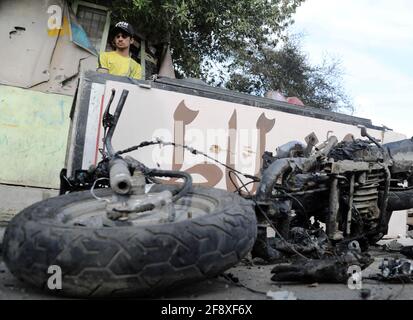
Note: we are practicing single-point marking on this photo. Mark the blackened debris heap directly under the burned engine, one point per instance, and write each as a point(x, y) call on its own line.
point(310, 257)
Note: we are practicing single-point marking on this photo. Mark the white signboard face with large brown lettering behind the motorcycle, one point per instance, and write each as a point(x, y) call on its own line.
point(232, 133)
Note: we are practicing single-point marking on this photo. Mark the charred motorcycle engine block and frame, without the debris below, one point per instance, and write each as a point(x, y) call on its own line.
point(349, 186)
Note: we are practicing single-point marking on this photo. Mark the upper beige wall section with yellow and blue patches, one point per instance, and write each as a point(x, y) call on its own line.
point(40, 58)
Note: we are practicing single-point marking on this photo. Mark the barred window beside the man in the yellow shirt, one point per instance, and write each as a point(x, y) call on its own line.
point(95, 20)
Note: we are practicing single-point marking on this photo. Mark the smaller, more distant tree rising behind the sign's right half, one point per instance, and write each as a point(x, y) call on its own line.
point(288, 70)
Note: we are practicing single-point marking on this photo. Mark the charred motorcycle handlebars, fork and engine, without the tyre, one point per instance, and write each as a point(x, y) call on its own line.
point(352, 186)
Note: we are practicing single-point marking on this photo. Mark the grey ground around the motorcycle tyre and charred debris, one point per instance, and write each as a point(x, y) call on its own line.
point(254, 283)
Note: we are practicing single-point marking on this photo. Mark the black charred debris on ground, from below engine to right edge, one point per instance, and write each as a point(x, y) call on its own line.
point(309, 257)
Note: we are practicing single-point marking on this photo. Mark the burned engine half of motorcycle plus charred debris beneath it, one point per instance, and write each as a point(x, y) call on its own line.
point(329, 204)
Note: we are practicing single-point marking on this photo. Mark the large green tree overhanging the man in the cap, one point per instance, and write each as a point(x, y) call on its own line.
point(204, 32)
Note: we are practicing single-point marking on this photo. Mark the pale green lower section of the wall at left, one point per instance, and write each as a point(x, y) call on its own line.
point(33, 136)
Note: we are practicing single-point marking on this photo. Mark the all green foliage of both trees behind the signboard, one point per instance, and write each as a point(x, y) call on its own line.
point(232, 43)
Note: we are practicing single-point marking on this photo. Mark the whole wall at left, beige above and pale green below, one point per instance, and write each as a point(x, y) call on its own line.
point(46, 61)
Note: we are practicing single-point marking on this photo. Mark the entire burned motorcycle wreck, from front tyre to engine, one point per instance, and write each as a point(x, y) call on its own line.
point(119, 230)
